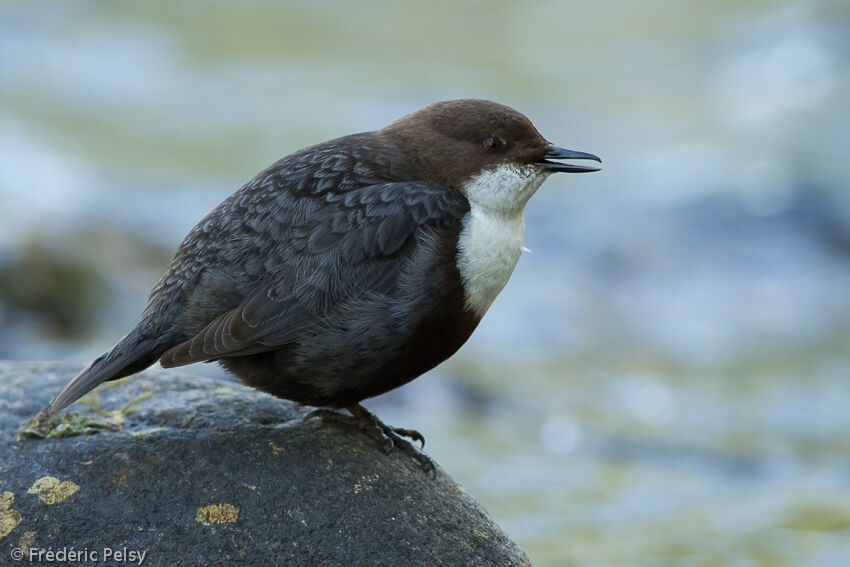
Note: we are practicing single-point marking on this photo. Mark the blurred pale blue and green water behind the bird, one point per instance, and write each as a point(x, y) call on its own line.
point(664, 381)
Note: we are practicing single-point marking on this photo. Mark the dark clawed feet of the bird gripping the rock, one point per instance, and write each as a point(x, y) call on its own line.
point(387, 435)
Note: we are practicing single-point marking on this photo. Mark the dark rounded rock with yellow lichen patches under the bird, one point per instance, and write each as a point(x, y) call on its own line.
point(195, 471)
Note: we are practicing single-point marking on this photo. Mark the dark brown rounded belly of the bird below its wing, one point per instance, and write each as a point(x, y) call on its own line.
point(361, 354)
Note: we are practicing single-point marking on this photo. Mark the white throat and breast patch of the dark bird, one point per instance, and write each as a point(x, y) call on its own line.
point(493, 231)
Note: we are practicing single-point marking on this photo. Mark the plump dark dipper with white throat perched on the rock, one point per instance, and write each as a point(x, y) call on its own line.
point(351, 267)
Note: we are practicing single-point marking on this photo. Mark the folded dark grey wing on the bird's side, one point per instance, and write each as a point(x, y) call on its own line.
point(354, 245)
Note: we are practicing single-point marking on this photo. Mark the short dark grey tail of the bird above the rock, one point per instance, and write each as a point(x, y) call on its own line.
point(133, 353)
